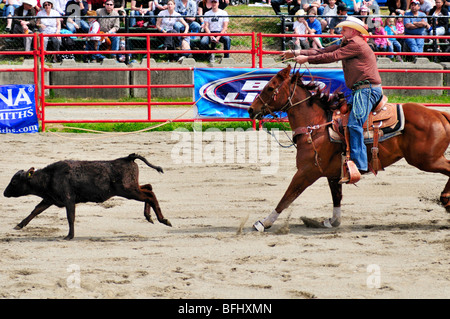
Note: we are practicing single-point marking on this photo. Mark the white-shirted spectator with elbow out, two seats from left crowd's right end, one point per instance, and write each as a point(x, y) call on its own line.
point(165, 22)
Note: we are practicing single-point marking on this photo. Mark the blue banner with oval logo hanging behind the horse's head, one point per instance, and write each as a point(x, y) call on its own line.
point(228, 93)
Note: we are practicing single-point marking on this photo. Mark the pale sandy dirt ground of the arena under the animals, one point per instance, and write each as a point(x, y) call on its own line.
point(394, 241)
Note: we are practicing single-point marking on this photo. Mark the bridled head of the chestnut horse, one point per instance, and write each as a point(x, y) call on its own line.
point(273, 97)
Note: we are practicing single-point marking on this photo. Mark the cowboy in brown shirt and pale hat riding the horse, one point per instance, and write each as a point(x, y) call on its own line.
point(361, 76)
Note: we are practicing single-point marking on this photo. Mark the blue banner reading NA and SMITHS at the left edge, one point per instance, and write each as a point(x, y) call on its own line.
point(18, 109)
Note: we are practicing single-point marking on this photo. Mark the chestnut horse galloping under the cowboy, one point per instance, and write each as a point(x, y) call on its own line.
point(423, 142)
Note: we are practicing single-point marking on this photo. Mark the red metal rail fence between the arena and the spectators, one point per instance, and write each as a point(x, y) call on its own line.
point(40, 69)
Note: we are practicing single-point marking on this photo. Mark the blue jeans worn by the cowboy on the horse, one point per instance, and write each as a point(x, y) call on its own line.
point(363, 102)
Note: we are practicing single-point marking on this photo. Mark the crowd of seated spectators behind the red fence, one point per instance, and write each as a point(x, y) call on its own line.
point(99, 18)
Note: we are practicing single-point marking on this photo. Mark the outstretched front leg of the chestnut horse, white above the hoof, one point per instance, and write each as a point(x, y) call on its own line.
point(299, 183)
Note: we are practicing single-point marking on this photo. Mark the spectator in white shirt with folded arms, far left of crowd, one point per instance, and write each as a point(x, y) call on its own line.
point(49, 25)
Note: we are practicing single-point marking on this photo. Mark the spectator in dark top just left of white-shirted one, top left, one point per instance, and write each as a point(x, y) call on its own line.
point(25, 25)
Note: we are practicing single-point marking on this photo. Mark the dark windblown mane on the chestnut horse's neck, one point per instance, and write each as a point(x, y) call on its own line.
point(320, 96)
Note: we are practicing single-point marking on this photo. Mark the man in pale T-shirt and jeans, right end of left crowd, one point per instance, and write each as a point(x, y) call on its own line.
point(216, 21)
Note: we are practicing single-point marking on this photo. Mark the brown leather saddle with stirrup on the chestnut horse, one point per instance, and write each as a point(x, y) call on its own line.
point(386, 120)
